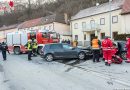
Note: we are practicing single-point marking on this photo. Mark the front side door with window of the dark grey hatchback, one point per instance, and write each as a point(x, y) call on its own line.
point(69, 52)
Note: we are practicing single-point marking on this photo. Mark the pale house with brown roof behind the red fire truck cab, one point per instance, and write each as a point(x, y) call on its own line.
point(58, 24)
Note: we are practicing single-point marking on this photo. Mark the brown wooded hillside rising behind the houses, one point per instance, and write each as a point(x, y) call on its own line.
point(39, 9)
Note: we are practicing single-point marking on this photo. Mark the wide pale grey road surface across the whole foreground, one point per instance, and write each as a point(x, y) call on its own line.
point(20, 74)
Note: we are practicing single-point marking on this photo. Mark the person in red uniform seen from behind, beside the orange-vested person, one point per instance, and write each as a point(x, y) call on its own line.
point(107, 50)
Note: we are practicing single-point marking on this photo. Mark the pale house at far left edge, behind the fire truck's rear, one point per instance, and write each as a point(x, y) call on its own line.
point(7, 29)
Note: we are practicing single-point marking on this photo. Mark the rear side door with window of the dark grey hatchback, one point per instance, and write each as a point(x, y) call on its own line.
point(57, 50)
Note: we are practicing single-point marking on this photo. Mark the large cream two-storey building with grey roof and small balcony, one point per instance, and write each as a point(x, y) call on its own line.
point(98, 21)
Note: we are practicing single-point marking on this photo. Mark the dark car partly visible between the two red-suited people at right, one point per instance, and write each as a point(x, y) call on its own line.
point(121, 49)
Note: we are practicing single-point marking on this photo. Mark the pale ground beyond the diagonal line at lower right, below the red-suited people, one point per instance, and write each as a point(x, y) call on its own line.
point(116, 71)
